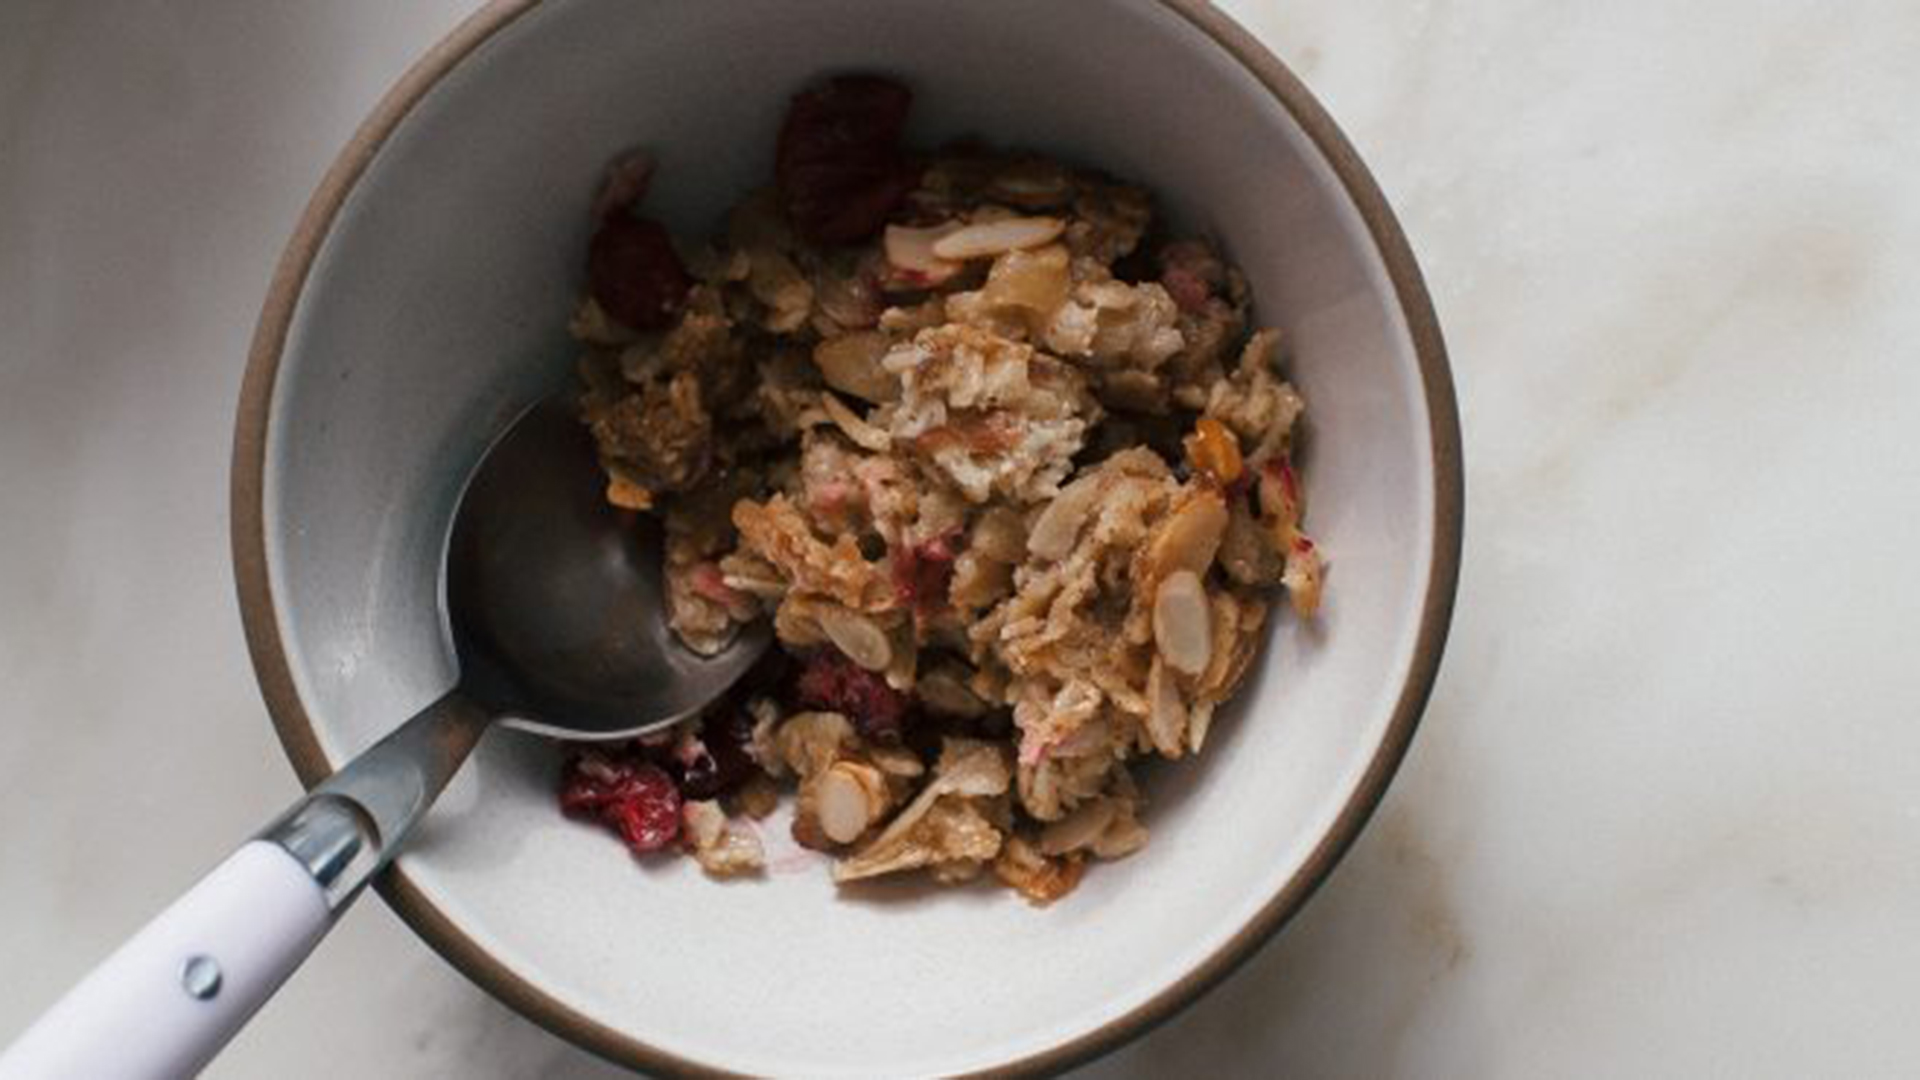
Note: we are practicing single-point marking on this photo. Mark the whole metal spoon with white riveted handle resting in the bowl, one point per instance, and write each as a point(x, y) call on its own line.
point(556, 612)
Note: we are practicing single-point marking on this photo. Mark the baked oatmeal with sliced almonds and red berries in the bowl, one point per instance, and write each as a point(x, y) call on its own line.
point(1009, 472)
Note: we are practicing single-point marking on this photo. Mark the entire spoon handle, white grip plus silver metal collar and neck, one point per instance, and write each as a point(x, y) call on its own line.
point(166, 1002)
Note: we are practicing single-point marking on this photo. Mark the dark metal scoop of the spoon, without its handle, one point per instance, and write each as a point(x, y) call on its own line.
point(556, 599)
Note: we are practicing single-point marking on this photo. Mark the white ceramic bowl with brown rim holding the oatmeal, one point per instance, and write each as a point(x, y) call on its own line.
point(423, 301)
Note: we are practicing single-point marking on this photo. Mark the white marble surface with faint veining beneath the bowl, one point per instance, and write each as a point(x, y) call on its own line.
point(1666, 810)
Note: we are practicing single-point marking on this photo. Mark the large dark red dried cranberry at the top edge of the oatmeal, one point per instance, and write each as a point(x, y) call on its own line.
point(840, 164)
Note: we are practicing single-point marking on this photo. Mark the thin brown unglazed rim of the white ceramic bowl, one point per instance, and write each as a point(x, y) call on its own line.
point(295, 727)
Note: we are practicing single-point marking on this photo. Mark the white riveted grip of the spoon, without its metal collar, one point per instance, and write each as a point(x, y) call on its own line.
point(168, 1000)
